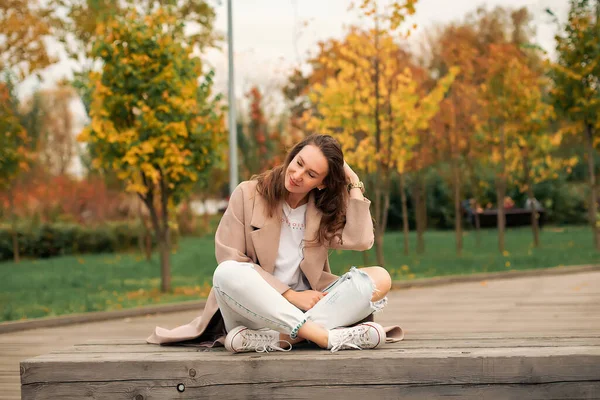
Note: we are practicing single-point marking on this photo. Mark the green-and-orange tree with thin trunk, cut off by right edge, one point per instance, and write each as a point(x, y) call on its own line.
point(576, 87)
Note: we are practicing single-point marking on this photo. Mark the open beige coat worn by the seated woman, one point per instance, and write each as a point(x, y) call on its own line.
point(247, 234)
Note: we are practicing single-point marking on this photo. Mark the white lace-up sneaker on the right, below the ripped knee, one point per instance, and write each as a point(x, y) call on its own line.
point(368, 335)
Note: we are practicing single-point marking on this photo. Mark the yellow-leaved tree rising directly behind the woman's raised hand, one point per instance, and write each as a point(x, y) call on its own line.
point(374, 109)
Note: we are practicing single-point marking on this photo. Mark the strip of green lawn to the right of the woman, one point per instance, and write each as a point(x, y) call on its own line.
point(559, 247)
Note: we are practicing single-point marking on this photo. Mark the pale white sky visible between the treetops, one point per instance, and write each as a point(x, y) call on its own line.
point(271, 37)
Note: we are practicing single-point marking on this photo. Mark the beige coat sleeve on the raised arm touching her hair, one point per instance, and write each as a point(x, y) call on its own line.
point(357, 233)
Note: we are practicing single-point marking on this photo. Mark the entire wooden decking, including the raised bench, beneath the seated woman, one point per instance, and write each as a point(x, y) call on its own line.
point(525, 338)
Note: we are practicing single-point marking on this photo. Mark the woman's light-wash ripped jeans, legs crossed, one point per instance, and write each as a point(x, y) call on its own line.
point(246, 299)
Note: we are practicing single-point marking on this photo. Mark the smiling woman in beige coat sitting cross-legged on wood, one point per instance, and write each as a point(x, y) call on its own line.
point(273, 286)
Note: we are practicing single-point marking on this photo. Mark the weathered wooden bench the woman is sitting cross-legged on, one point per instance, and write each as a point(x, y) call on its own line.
point(478, 366)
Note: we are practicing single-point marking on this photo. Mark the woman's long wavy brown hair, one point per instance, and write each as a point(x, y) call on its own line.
point(331, 201)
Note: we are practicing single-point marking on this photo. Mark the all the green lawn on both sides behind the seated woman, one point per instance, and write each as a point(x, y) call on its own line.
point(74, 284)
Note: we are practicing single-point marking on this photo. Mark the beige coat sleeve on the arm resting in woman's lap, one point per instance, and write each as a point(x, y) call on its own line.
point(230, 238)
